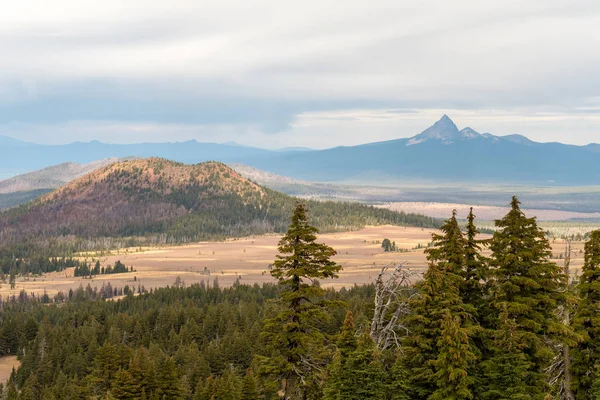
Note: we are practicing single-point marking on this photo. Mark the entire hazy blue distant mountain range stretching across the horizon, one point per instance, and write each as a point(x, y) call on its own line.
point(441, 153)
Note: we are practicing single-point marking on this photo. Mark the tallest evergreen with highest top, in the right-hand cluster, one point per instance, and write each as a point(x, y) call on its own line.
point(531, 289)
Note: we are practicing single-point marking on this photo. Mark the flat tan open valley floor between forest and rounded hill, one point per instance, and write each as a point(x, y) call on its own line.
point(248, 260)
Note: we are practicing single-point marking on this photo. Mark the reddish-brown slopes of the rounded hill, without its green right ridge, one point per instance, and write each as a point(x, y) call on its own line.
point(133, 198)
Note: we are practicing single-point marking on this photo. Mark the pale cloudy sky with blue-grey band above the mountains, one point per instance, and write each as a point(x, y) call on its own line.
point(314, 73)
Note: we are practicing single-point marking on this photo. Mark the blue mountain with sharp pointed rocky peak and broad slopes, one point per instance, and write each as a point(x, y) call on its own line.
point(443, 153)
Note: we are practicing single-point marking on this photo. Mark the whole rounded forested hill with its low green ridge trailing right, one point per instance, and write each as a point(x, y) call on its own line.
point(168, 202)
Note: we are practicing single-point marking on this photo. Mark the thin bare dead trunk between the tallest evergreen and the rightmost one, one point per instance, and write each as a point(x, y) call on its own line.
point(560, 370)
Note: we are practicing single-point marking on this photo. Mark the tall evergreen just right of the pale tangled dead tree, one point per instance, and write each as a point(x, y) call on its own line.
point(439, 351)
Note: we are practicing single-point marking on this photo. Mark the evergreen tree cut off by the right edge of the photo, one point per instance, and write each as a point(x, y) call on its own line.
point(586, 356)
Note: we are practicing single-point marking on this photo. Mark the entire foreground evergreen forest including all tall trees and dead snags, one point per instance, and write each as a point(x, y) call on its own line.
point(510, 325)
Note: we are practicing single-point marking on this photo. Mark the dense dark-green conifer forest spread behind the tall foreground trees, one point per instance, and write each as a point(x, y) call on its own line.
point(190, 342)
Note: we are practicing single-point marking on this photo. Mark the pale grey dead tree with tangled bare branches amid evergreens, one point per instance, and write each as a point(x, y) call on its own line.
point(393, 291)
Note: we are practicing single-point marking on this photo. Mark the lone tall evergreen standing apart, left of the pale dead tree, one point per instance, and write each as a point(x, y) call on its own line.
point(294, 335)
